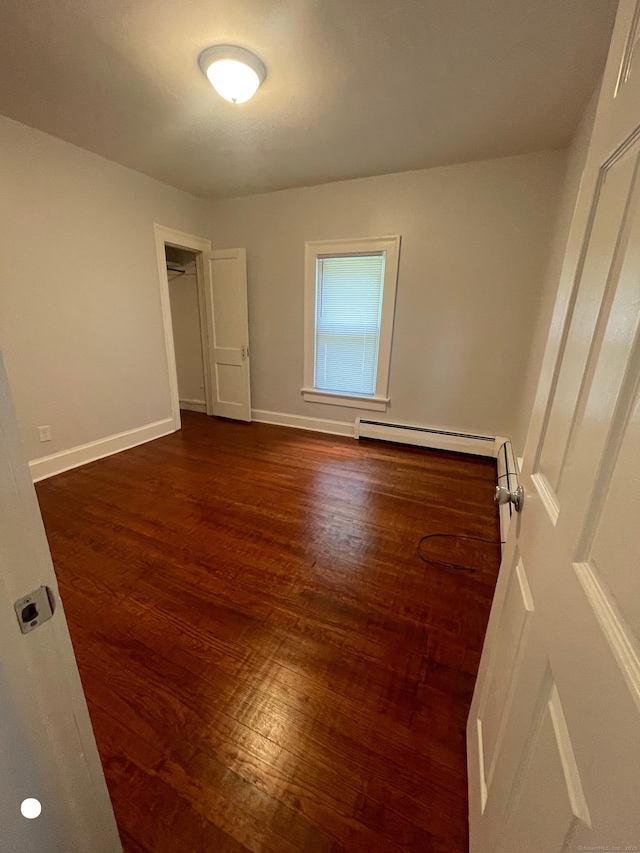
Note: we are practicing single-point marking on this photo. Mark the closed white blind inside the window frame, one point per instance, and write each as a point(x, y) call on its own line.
point(349, 292)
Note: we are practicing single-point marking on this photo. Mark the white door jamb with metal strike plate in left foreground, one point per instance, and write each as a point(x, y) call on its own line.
point(47, 749)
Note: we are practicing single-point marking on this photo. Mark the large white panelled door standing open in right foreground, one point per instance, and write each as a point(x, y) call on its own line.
point(554, 728)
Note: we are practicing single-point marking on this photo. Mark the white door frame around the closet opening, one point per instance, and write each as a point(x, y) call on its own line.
point(200, 246)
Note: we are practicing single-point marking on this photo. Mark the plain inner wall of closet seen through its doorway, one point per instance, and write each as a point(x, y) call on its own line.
point(187, 338)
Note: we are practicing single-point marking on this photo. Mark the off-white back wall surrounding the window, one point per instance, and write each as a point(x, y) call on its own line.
point(475, 240)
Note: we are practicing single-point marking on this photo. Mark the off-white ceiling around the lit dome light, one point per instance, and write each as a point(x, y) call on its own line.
point(354, 87)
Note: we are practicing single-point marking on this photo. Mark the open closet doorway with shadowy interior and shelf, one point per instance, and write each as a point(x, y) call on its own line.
point(188, 328)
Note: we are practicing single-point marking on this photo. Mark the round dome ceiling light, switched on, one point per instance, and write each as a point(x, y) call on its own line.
point(235, 73)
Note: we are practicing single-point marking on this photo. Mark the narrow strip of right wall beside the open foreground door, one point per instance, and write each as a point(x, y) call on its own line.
point(575, 160)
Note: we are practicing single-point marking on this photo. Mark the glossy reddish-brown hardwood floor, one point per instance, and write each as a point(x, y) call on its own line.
point(269, 666)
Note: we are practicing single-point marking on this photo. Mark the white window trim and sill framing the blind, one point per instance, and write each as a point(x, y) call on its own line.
point(378, 401)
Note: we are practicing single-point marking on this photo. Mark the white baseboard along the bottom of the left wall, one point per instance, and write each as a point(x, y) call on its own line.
point(49, 466)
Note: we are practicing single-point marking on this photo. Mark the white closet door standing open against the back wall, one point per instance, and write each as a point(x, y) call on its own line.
point(229, 333)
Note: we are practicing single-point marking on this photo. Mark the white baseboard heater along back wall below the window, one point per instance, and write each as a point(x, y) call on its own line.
point(438, 439)
